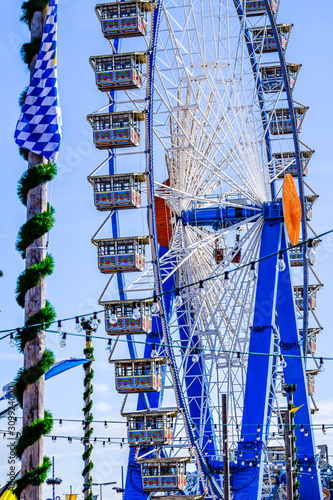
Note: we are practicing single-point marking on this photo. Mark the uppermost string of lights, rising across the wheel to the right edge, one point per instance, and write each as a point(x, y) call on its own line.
point(309, 242)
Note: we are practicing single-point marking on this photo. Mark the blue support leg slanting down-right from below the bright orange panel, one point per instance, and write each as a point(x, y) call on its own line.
point(291, 345)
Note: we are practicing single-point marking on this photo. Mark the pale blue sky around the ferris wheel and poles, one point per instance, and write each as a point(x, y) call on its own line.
point(76, 284)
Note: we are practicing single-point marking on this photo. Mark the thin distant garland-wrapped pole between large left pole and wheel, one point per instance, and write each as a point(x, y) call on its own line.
point(89, 325)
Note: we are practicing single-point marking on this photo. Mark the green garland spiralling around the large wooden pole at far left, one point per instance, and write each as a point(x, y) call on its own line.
point(36, 227)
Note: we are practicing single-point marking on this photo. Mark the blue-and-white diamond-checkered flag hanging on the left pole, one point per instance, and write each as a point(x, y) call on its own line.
point(39, 126)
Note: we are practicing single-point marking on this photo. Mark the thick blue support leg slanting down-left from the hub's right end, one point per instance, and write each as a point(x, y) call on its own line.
point(247, 484)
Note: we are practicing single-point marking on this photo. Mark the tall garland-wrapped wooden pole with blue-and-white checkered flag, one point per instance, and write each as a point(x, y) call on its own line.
point(38, 133)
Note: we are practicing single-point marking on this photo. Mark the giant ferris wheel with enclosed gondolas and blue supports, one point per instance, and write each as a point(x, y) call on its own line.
point(201, 106)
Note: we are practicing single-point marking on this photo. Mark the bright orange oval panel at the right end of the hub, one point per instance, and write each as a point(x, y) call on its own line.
point(292, 209)
